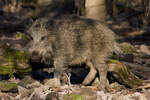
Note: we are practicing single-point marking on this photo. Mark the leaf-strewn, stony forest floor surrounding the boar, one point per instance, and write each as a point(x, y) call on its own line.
point(29, 86)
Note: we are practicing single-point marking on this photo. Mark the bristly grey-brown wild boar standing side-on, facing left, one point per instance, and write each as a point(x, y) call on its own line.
point(68, 40)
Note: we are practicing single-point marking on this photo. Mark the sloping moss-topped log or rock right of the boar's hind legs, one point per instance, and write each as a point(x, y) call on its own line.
point(123, 75)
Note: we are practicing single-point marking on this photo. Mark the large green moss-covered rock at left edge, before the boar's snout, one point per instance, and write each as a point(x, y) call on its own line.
point(15, 62)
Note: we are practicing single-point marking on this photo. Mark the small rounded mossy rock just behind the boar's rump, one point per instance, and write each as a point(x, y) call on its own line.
point(127, 48)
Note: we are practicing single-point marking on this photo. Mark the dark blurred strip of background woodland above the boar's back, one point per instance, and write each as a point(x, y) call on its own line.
point(135, 12)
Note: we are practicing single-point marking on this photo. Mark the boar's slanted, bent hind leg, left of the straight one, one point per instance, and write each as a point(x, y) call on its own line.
point(91, 75)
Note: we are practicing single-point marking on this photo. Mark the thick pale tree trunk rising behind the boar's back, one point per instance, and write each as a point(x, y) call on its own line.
point(95, 9)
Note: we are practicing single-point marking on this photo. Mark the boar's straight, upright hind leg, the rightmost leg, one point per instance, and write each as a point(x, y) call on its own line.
point(101, 67)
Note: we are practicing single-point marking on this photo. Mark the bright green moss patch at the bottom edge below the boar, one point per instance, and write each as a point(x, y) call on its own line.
point(73, 97)
